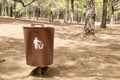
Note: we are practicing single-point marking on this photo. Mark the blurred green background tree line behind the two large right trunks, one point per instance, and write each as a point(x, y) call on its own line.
point(61, 9)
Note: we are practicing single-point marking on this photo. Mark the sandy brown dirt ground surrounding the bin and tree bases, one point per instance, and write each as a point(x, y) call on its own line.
point(75, 57)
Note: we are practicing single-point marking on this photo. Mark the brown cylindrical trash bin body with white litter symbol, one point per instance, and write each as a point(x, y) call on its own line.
point(42, 54)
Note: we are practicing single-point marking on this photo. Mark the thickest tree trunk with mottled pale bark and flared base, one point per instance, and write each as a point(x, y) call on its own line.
point(89, 17)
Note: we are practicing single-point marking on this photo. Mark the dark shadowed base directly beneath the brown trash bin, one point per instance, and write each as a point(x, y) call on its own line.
point(39, 71)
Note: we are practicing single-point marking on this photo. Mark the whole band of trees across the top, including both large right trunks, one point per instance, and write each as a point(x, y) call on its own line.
point(88, 11)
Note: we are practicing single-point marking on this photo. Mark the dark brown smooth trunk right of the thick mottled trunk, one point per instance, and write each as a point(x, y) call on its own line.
point(104, 14)
